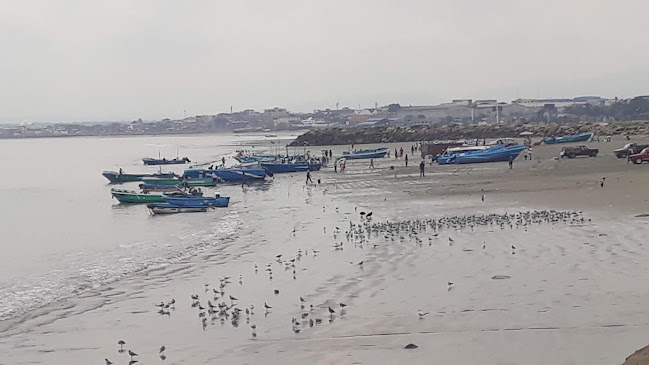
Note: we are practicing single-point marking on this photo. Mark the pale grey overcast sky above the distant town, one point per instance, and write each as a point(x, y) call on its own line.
point(80, 60)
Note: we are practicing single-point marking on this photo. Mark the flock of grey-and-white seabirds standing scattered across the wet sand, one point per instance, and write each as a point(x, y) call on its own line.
point(217, 305)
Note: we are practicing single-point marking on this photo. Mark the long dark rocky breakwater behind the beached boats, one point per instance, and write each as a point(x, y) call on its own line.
point(341, 136)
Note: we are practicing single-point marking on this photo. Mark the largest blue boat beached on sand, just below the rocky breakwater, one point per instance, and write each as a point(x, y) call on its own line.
point(480, 155)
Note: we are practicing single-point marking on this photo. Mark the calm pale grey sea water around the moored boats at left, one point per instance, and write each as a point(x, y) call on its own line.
point(63, 233)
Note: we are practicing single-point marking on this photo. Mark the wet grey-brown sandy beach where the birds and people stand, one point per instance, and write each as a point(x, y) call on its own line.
point(570, 292)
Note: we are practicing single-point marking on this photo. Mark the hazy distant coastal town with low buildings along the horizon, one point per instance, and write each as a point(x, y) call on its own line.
point(459, 112)
